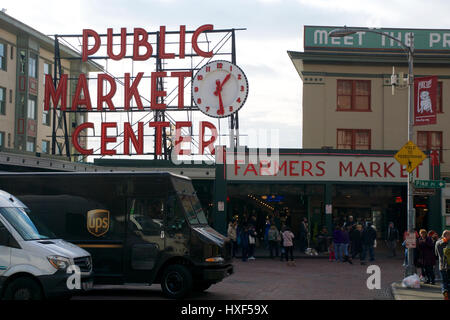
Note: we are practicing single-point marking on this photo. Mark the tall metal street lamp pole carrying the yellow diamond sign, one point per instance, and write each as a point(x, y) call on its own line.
point(410, 269)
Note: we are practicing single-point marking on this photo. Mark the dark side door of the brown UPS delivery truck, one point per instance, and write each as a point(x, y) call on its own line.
point(145, 238)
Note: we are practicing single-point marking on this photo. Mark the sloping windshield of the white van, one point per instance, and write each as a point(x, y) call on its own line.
point(27, 226)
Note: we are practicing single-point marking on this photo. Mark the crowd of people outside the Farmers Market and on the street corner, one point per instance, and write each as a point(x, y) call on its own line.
point(349, 240)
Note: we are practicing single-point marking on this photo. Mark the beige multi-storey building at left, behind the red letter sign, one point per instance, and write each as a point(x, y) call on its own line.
point(26, 56)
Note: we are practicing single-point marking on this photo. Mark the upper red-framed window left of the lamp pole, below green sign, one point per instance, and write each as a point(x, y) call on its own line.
point(353, 95)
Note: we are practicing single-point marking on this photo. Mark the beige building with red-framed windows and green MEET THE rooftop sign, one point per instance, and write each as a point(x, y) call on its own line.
point(348, 102)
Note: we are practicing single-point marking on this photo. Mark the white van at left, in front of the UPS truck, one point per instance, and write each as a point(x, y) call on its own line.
point(37, 268)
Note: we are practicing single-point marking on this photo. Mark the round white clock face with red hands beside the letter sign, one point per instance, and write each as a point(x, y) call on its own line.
point(219, 89)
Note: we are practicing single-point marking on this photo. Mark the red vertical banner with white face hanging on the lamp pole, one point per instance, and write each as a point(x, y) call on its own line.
point(425, 102)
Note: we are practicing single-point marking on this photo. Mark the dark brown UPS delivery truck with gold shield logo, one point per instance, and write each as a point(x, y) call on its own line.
point(143, 227)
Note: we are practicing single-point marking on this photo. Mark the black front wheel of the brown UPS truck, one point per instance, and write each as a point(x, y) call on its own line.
point(176, 281)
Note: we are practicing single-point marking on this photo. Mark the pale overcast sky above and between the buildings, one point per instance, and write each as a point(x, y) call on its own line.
point(273, 28)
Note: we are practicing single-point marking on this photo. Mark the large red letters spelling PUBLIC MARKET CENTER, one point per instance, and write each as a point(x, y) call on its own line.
point(142, 50)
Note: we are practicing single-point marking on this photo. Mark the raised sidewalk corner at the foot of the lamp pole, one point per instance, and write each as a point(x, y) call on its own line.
point(425, 292)
